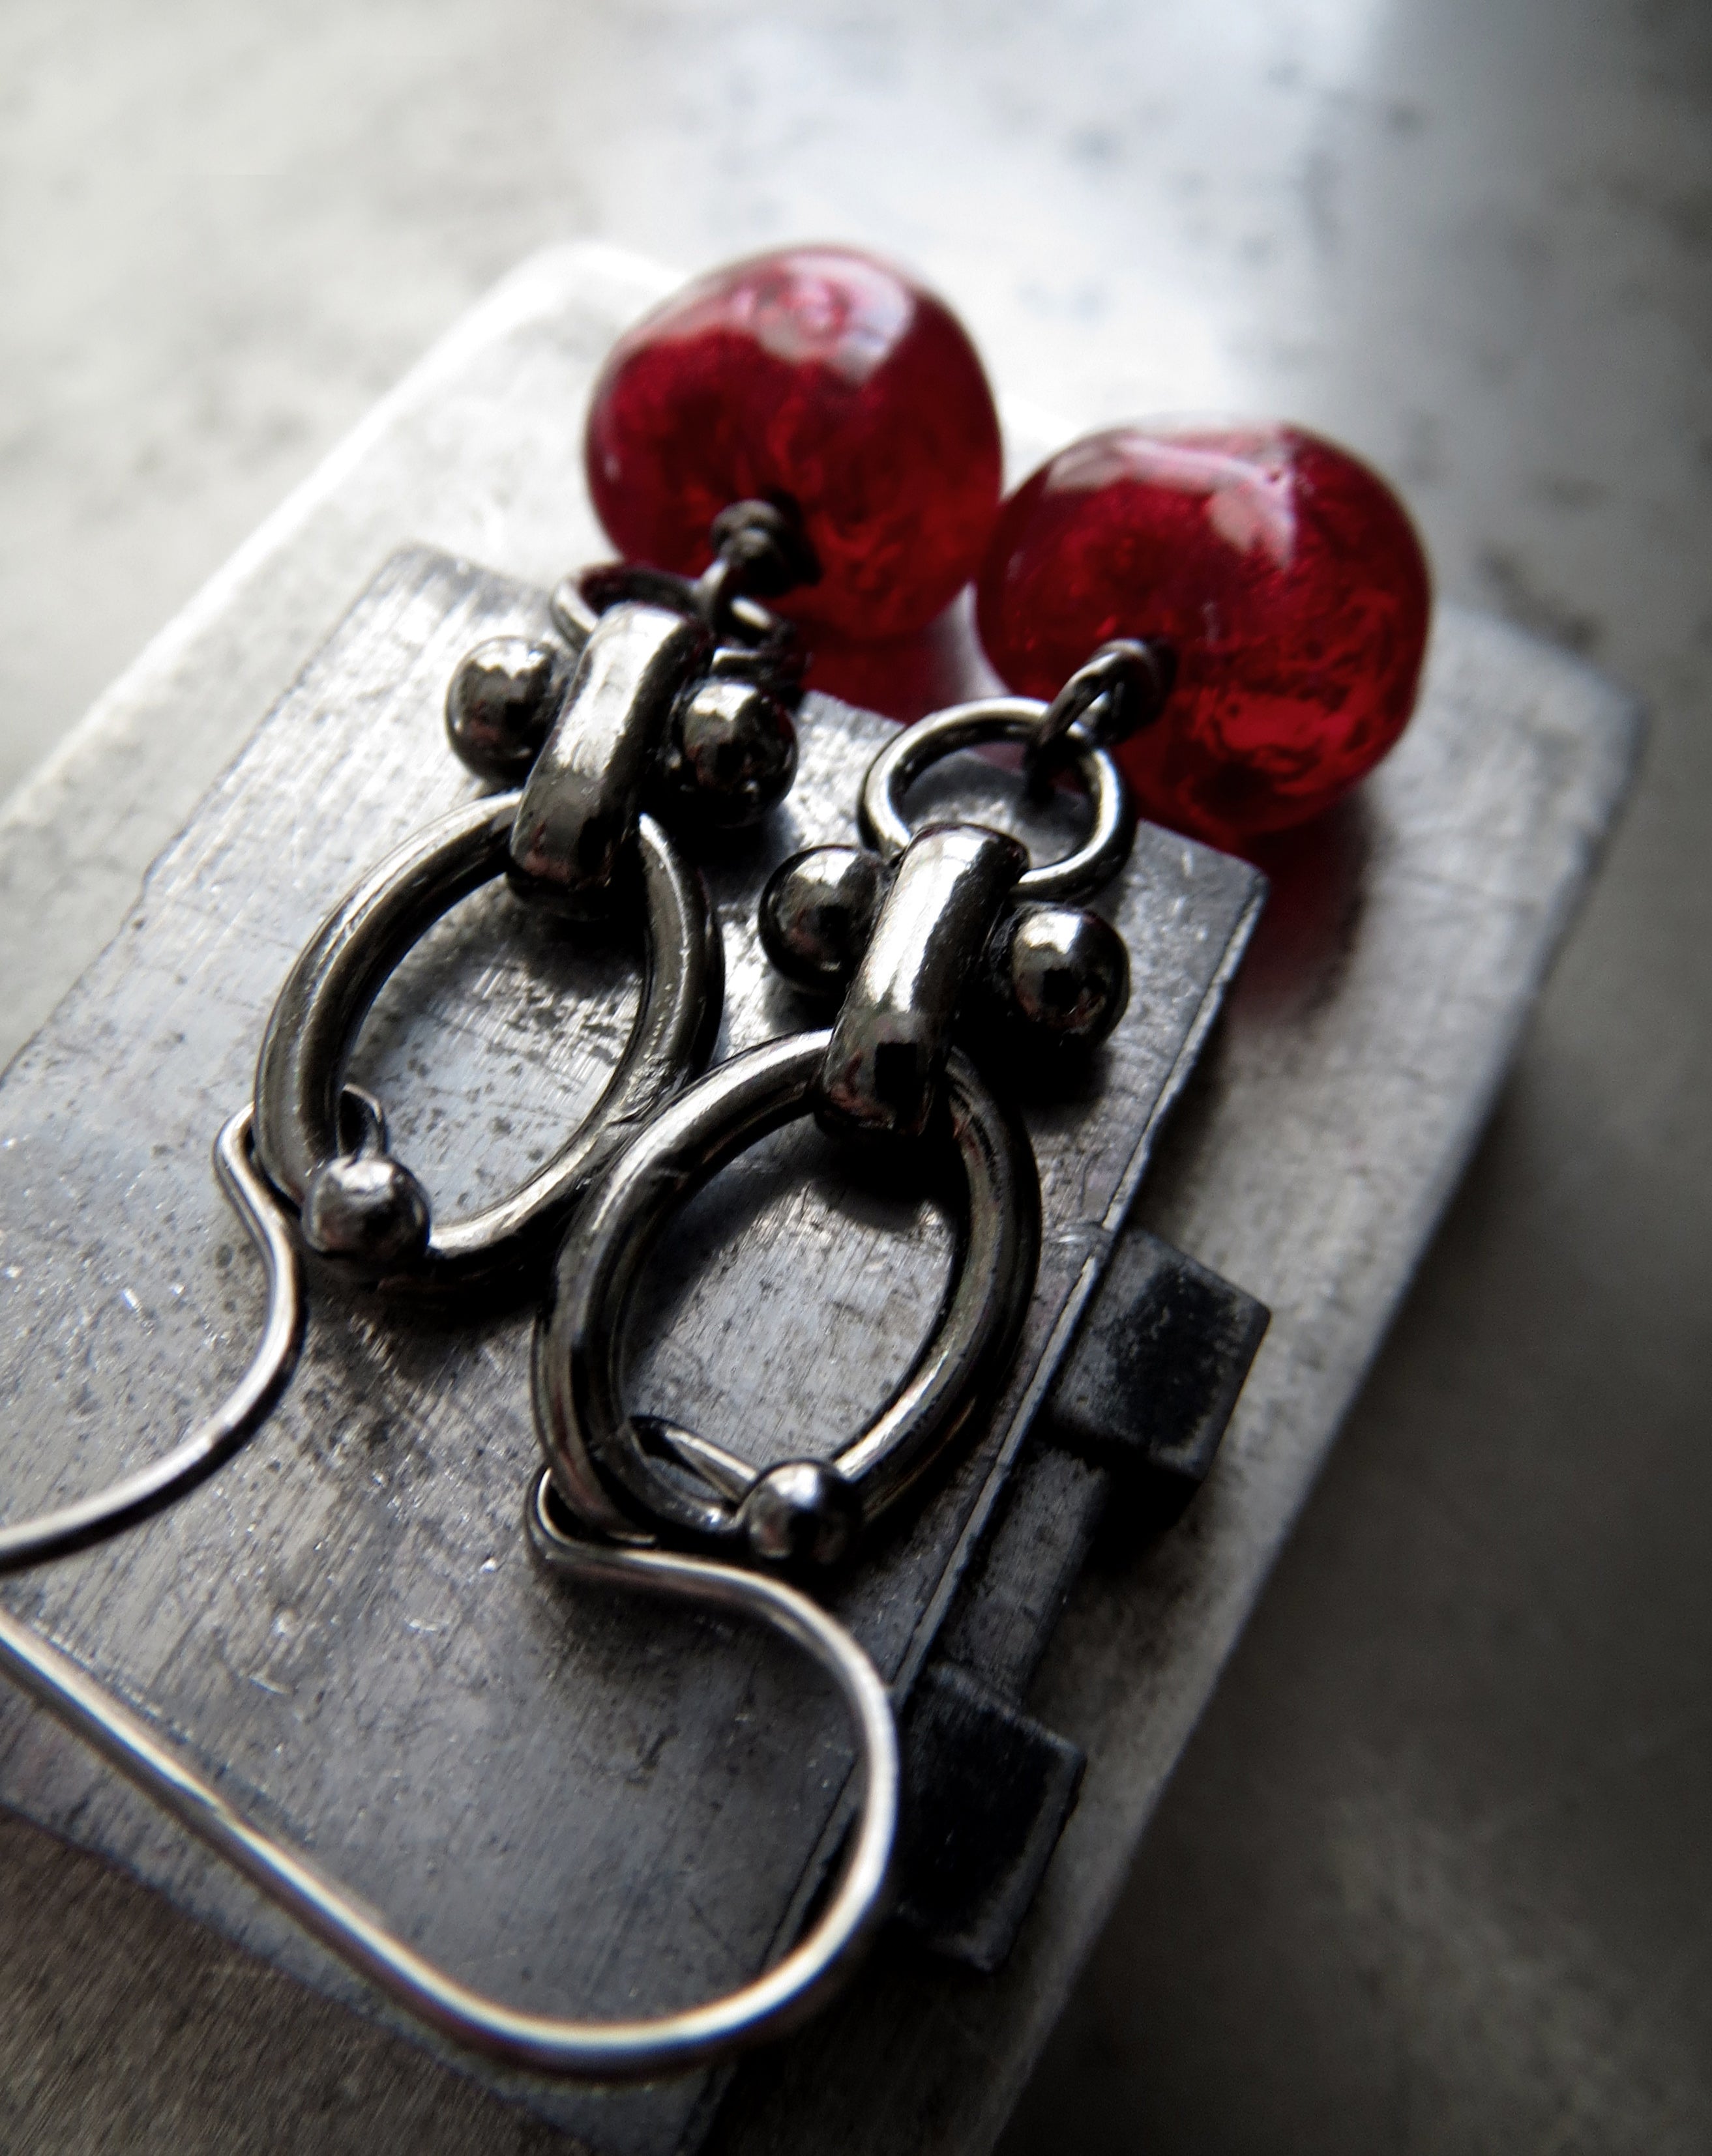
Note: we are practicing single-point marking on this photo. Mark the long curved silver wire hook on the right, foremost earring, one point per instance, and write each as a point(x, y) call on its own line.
point(542, 2043)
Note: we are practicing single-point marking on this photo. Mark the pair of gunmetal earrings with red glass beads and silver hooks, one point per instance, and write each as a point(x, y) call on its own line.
point(831, 432)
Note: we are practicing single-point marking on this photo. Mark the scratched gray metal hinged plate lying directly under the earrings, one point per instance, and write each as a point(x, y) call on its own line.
point(577, 1803)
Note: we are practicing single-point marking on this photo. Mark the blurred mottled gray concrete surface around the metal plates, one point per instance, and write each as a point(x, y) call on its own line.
point(1435, 1872)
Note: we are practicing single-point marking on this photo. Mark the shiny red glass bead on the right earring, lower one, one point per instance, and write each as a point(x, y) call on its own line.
point(1282, 570)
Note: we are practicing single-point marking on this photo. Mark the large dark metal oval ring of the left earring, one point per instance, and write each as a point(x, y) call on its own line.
point(340, 973)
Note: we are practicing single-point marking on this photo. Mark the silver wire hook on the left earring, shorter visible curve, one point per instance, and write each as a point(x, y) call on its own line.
point(94, 1519)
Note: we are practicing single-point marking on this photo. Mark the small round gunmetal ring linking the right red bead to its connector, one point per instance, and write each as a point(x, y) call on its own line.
point(978, 725)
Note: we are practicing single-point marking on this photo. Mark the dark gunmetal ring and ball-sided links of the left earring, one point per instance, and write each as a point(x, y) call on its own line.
point(669, 702)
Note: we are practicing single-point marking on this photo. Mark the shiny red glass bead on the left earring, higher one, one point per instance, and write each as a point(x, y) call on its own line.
point(818, 376)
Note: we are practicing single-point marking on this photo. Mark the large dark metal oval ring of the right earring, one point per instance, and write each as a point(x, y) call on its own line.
point(596, 1450)
